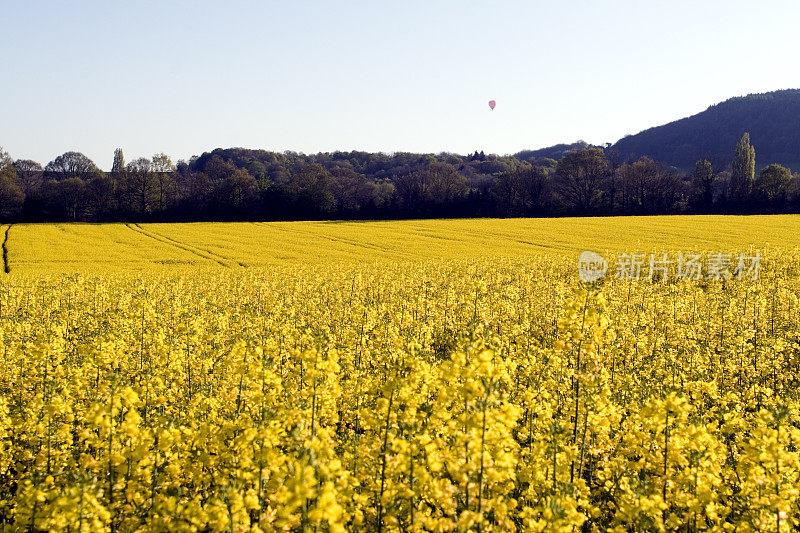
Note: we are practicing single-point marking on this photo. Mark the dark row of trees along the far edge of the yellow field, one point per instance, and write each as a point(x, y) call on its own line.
point(241, 184)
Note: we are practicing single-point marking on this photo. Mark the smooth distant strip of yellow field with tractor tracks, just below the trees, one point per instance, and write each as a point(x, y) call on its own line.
point(48, 248)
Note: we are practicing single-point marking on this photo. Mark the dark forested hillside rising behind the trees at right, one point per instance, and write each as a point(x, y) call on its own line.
point(772, 119)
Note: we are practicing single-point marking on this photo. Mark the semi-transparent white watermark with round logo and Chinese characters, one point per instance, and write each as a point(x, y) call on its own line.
point(716, 266)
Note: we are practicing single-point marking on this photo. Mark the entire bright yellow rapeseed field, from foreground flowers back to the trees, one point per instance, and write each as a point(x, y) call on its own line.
point(397, 376)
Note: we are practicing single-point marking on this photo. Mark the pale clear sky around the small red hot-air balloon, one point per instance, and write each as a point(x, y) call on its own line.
point(187, 77)
